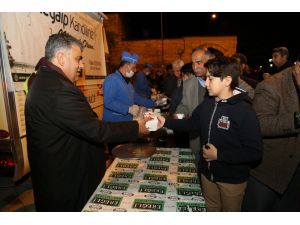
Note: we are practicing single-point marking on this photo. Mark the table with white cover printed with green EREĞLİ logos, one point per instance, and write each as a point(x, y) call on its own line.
point(166, 181)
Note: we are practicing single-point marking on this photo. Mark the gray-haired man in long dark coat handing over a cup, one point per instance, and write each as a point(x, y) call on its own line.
point(64, 136)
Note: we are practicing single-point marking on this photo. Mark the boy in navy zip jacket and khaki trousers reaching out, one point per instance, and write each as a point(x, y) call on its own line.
point(230, 136)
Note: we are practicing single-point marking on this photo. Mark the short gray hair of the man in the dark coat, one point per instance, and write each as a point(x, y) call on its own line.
point(58, 42)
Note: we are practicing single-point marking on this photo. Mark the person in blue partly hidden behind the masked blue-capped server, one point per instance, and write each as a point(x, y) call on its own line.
point(141, 84)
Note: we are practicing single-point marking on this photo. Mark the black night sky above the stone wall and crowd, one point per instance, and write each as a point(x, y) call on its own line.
point(258, 33)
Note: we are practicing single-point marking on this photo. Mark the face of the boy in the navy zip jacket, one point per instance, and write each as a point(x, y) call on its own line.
point(215, 86)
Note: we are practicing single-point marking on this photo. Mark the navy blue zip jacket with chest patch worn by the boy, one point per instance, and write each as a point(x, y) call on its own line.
point(232, 127)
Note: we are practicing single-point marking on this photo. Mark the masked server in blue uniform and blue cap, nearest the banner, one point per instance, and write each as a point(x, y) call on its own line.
point(120, 100)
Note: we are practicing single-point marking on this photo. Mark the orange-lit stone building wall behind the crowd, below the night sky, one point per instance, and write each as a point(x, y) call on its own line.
point(150, 51)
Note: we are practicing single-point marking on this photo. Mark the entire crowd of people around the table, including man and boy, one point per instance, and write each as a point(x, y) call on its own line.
point(242, 129)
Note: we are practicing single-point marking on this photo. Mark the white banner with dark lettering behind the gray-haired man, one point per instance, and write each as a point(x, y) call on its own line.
point(27, 34)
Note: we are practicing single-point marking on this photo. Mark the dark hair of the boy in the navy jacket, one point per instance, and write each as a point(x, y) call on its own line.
point(224, 66)
